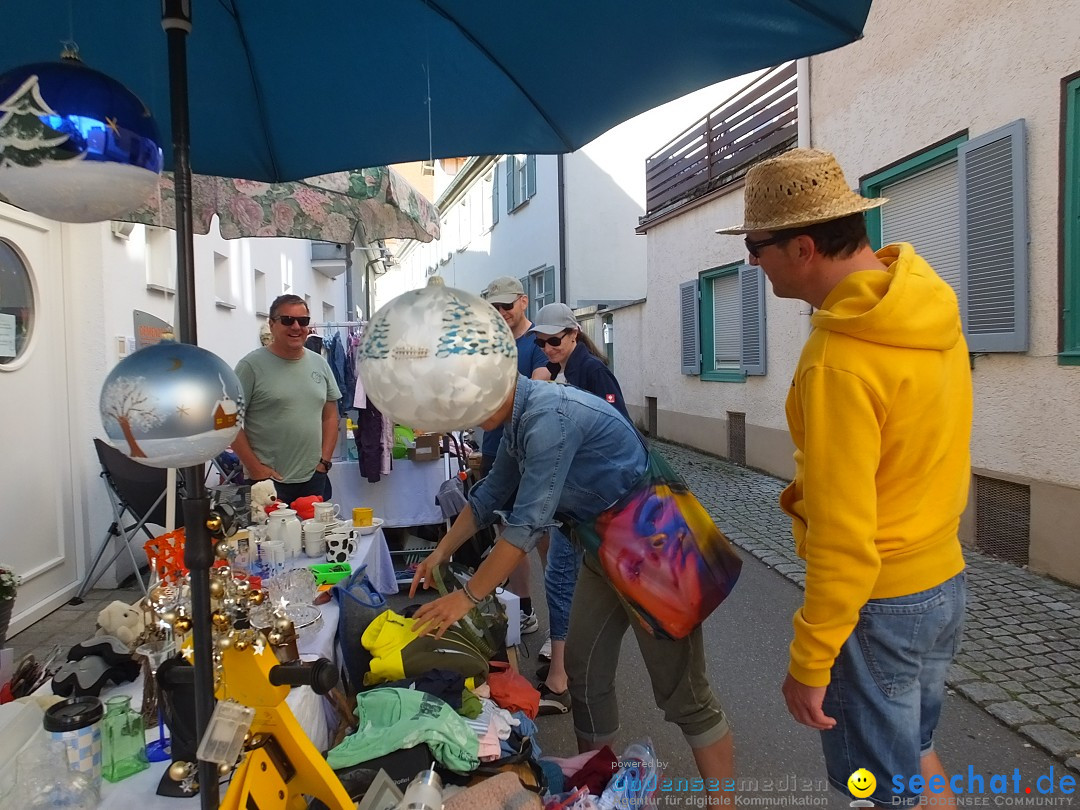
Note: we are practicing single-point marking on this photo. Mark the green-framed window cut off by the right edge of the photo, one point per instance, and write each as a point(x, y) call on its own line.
point(1071, 227)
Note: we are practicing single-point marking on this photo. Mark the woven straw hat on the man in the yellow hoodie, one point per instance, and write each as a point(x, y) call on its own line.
point(798, 188)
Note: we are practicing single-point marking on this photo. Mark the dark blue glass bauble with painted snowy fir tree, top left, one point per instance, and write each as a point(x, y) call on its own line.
point(75, 145)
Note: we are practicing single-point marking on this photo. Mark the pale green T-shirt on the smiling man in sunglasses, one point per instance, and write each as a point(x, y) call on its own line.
point(283, 416)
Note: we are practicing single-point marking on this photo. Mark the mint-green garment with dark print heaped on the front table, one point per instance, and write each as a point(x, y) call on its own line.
point(391, 720)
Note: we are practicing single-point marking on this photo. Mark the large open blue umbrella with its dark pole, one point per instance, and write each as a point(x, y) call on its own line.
point(283, 90)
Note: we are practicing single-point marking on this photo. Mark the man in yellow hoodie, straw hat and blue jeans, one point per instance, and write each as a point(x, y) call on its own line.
point(880, 412)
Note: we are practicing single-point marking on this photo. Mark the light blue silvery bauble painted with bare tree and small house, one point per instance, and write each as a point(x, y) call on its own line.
point(172, 406)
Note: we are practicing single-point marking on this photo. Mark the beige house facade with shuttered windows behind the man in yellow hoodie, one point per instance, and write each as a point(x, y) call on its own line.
point(970, 124)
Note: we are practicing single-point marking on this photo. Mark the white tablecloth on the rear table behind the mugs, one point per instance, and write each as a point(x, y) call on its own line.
point(407, 497)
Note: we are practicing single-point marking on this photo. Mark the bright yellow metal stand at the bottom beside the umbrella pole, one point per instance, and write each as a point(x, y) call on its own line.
point(281, 767)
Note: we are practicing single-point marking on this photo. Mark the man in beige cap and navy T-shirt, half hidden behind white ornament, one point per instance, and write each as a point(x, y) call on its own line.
point(508, 296)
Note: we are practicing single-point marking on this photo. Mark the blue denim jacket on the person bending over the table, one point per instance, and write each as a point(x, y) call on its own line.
point(565, 452)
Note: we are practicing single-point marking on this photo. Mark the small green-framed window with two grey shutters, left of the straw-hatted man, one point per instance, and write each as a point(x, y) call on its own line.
point(723, 325)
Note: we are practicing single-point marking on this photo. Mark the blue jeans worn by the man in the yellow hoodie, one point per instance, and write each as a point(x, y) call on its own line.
point(888, 686)
